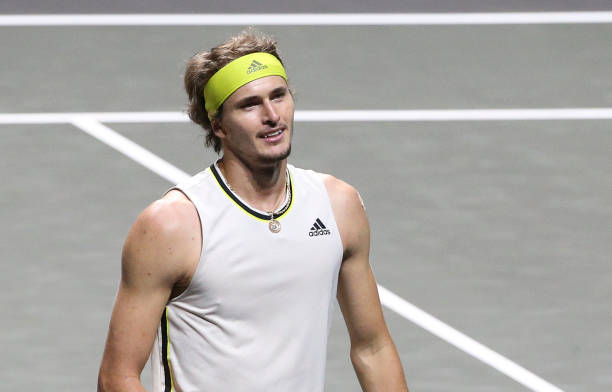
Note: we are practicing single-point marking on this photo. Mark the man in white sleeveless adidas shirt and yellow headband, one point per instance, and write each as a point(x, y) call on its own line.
point(242, 261)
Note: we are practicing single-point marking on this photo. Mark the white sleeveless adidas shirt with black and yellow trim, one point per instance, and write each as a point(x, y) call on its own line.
point(256, 314)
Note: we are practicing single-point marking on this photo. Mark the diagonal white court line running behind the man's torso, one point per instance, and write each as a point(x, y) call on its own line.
point(392, 301)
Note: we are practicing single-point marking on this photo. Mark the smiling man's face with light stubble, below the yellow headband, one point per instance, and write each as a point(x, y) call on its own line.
point(257, 122)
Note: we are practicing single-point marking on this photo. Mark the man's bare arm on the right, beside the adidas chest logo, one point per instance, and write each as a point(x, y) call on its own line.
point(373, 353)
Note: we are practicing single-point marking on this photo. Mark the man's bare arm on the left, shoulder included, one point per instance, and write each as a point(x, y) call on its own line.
point(159, 254)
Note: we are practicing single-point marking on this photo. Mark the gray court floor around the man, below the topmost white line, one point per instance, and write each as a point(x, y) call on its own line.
point(501, 229)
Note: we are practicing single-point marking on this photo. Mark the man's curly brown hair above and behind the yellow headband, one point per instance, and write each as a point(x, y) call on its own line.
point(203, 65)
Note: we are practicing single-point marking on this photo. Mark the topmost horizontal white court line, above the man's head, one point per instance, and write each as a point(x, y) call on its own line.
point(305, 19)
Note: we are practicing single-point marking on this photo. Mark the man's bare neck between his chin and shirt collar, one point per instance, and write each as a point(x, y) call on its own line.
point(261, 187)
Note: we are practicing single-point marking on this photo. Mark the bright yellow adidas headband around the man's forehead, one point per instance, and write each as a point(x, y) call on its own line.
point(236, 74)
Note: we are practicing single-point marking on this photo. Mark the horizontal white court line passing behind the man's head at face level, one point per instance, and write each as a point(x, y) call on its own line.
point(332, 115)
